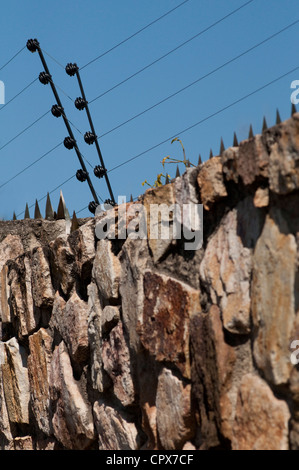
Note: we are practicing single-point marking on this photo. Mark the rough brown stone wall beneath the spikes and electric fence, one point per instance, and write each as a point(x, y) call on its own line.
point(140, 344)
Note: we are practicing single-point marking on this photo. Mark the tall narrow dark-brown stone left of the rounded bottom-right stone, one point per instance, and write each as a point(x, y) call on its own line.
point(212, 376)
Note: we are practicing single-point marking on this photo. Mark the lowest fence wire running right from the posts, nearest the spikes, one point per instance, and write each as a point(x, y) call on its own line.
point(205, 119)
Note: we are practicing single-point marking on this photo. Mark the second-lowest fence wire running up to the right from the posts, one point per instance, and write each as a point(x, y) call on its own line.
point(200, 78)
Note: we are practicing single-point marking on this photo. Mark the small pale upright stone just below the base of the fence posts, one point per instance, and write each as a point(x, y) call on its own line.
point(106, 270)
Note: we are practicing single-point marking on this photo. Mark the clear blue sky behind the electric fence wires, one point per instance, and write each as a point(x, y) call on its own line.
point(77, 31)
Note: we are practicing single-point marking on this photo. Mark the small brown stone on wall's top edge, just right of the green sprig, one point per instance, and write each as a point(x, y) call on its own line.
point(211, 183)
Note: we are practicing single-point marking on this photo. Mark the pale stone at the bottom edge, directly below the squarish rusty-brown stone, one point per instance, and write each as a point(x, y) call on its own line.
point(175, 420)
